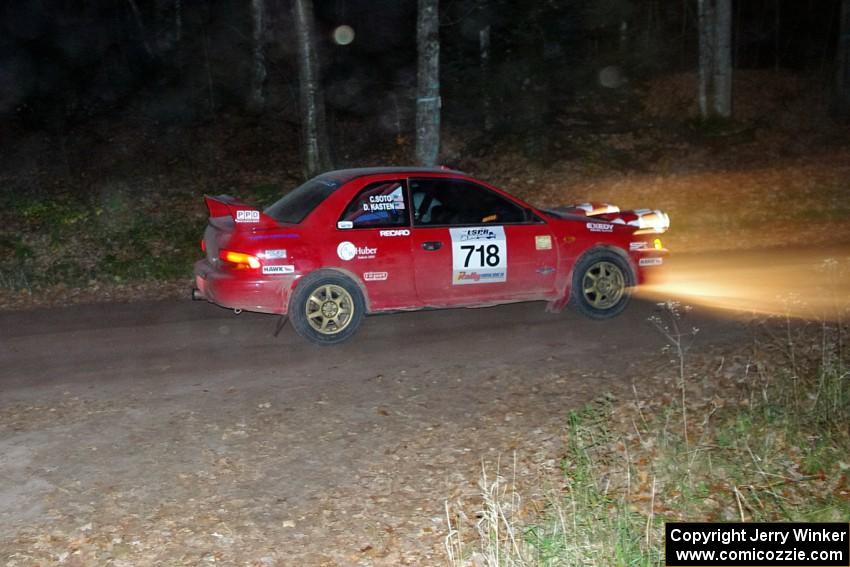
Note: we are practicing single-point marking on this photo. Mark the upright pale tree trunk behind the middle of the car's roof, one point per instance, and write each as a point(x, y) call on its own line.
point(428, 84)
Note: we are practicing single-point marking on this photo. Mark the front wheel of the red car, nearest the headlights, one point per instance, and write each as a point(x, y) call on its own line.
point(601, 286)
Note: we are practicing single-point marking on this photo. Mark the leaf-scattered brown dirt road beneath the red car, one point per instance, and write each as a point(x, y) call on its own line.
point(180, 433)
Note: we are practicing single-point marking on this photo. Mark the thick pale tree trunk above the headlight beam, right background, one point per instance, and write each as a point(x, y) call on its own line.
point(715, 58)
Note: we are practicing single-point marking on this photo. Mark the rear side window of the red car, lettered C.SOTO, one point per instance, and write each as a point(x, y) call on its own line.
point(378, 205)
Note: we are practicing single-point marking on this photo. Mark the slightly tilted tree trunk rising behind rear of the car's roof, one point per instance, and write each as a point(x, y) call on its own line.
point(316, 153)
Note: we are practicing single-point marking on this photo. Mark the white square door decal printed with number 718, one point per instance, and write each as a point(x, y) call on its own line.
point(479, 255)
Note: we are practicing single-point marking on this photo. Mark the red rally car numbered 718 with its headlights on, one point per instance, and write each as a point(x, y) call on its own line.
point(357, 241)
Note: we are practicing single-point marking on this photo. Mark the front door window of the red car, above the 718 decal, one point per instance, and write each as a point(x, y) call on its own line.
point(452, 202)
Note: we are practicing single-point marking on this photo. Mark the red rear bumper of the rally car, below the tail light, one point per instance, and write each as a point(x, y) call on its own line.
point(248, 293)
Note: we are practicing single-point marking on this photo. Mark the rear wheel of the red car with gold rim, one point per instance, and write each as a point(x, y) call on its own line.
point(326, 308)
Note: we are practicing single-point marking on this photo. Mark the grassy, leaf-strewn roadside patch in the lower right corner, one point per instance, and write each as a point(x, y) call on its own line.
point(755, 432)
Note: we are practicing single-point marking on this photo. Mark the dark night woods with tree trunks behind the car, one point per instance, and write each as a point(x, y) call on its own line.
point(491, 65)
